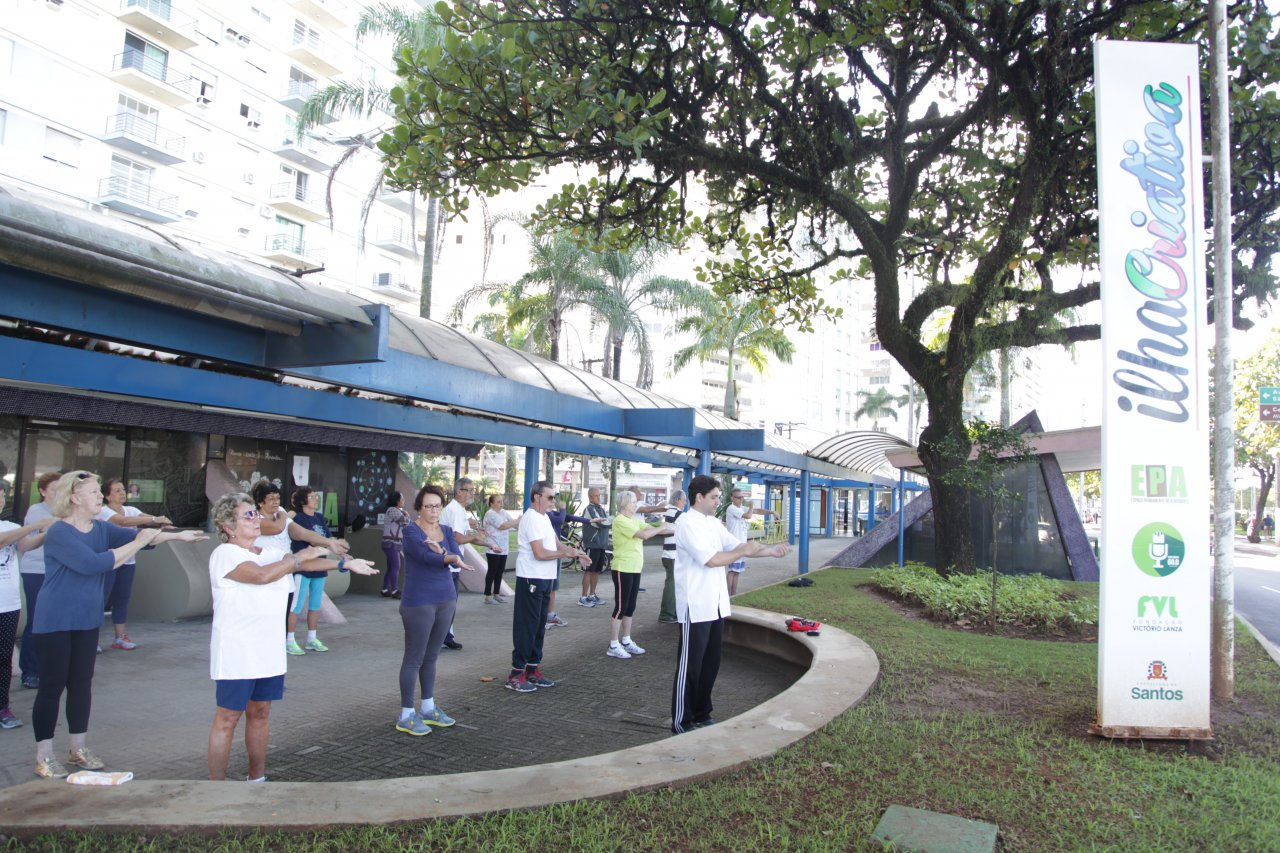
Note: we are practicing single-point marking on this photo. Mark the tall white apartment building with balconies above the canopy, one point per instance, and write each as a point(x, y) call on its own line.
point(181, 116)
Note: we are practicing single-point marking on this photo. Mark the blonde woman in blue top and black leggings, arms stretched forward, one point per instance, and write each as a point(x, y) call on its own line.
point(80, 554)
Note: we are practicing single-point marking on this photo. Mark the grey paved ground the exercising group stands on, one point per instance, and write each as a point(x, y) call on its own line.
point(153, 706)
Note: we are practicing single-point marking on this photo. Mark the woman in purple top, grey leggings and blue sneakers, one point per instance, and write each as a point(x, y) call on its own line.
point(427, 609)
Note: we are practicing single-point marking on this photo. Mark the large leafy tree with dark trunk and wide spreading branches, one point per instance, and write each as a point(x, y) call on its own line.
point(808, 140)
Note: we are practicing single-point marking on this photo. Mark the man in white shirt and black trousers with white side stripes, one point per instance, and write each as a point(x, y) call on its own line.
point(703, 549)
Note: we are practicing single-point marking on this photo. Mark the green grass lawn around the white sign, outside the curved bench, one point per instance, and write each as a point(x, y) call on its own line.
point(962, 723)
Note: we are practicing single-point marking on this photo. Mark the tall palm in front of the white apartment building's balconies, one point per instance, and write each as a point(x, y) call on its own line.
point(412, 30)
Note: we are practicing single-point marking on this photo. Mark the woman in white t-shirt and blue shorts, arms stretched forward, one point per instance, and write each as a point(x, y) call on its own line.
point(246, 656)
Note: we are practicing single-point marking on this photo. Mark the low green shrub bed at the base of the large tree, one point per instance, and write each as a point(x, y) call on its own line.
point(1032, 603)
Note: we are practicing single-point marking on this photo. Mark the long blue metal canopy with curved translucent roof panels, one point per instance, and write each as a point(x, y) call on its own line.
point(198, 327)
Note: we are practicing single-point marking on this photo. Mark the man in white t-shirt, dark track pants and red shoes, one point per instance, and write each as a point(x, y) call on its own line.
point(537, 562)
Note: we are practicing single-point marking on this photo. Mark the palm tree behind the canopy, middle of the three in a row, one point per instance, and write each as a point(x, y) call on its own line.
point(630, 289)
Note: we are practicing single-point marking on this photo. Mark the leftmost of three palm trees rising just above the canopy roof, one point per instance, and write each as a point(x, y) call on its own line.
point(560, 279)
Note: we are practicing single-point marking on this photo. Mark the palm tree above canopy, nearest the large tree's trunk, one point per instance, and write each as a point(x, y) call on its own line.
point(732, 329)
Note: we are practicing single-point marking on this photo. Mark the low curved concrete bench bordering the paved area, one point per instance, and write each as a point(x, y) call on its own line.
point(842, 670)
